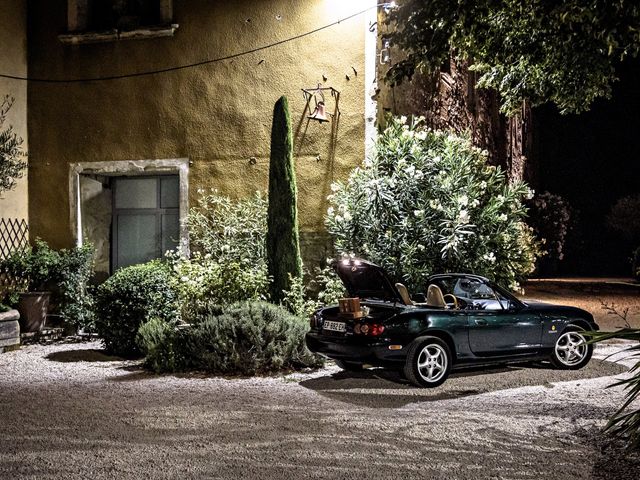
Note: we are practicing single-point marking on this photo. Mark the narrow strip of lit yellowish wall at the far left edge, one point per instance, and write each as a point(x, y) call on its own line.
point(13, 61)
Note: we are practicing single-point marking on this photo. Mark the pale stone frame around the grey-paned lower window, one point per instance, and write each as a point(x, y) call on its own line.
point(121, 168)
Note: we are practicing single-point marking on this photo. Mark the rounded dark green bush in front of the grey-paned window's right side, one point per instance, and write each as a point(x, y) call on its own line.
point(131, 297)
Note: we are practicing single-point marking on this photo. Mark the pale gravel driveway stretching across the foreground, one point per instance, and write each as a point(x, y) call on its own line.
point(69, 411)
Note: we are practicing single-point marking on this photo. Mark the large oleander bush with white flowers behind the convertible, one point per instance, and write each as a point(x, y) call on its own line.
point(428, 202)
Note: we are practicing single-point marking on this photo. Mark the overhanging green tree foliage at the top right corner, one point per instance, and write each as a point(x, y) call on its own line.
point(563, 51)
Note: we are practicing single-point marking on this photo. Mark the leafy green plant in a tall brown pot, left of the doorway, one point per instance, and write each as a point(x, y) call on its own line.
point(34, 267)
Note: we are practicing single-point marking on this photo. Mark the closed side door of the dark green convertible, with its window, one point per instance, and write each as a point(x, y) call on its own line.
point(498, 328)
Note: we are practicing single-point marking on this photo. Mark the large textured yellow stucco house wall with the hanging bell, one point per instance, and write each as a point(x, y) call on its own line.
point(218, 115)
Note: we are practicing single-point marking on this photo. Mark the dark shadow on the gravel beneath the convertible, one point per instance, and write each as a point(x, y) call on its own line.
point(388, 389)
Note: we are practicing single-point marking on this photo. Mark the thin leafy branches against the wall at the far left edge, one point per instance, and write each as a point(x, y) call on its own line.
point(12, 155)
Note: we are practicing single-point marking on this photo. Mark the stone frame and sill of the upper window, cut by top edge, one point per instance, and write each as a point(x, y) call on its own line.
point(77, 25)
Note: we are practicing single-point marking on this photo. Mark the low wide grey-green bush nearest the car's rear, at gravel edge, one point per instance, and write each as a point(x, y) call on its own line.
point(245, 338)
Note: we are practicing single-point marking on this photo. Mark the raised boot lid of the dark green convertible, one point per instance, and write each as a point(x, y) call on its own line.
point(366, 280)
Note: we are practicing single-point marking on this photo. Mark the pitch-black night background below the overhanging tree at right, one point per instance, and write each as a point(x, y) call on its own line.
point(592, 159)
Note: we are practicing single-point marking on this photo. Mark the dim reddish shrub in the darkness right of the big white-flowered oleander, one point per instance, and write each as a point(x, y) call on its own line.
point(550, 216)
